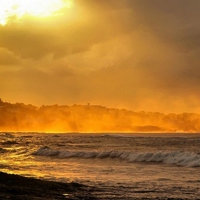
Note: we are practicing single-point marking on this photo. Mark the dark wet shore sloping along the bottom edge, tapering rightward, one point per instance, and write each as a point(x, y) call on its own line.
point(14, 187)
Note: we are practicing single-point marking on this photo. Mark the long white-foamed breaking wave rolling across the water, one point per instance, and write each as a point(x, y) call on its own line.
point(178, 158)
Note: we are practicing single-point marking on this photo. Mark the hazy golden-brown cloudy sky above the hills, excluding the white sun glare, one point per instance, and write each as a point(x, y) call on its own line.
point(134, 54)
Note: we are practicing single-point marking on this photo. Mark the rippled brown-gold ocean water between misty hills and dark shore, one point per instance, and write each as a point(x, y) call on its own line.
point(120, 166)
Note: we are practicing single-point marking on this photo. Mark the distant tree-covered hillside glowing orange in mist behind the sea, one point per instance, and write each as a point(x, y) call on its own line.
point(91, 118)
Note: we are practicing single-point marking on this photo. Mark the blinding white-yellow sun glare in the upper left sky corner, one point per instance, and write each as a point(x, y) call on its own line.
point(16, 9)
